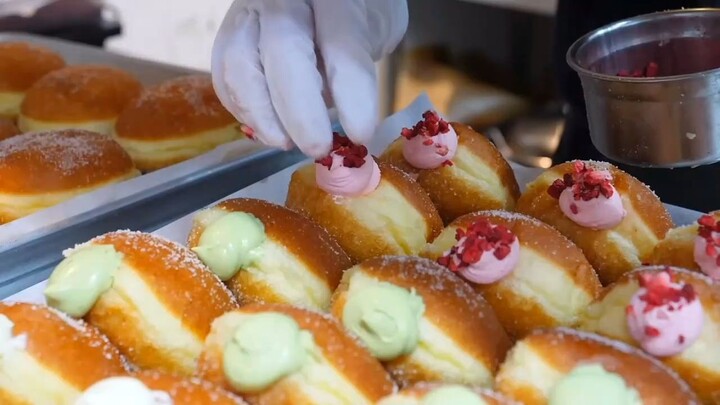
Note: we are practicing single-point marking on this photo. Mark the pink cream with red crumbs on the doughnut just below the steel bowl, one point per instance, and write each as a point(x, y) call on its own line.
point(588, 197)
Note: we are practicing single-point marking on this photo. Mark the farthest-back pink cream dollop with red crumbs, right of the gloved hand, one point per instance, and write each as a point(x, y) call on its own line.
point(431, 143)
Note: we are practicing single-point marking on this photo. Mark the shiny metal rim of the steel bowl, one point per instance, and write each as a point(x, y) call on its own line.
point(575, 47)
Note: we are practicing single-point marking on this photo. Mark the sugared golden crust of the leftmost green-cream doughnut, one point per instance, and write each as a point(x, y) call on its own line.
point(185, 287)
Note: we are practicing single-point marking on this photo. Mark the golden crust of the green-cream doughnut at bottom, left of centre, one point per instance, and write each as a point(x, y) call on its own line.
point(346, 355)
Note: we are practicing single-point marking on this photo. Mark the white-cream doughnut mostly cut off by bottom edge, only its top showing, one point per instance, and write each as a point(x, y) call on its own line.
point(152, 387)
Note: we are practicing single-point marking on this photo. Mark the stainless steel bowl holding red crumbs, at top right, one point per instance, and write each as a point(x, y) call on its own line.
point(670, 120)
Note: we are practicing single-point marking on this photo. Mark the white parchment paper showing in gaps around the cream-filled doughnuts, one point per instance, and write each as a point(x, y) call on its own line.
point(274, 188)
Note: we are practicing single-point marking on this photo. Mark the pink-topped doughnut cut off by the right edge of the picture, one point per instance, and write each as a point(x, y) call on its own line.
point(694, 247)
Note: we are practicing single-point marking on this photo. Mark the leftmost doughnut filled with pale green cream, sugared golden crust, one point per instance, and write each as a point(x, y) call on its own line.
point(153, 298)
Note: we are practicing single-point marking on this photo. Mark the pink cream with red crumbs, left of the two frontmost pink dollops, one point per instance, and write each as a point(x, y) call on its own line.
point(484, 253)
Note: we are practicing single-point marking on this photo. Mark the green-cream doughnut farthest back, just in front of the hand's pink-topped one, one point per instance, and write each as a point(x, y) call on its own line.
point(268, 253)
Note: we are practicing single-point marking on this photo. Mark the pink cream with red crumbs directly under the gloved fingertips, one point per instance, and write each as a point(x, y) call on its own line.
point(348, 170)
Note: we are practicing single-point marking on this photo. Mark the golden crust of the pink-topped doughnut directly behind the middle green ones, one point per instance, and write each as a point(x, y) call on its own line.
point(517, 314)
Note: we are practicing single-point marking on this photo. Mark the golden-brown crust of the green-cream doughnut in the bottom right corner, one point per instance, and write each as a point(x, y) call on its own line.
point(564, 349)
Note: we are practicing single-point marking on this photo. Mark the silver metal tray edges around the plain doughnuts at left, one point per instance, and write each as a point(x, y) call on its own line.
point(145, 203)
